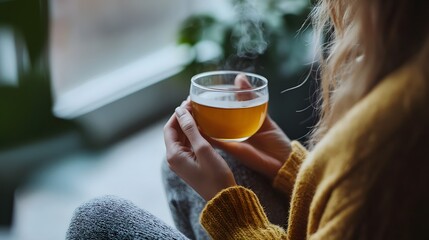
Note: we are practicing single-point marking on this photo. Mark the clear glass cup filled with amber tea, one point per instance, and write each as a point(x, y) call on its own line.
point(229, 105)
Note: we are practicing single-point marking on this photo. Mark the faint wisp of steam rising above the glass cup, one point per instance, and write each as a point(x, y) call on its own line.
point(247, 35)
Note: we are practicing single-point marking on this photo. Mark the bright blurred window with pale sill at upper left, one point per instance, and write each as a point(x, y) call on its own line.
point(103, 50)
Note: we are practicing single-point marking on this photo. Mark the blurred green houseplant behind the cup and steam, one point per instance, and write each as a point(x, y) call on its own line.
point(281, 28)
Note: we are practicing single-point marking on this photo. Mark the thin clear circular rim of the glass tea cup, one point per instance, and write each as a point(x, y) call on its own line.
point(205, 74)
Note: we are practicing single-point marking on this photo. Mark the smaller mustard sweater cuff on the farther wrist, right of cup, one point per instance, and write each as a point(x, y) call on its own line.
point(286, 176)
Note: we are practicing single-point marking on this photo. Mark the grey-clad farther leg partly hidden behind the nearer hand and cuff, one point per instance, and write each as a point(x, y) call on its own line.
point(186, 205)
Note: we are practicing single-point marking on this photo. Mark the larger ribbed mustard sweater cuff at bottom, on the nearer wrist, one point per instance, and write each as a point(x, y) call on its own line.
point(235, 211)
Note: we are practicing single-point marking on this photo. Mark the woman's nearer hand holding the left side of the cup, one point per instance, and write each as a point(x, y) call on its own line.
point(192, 158)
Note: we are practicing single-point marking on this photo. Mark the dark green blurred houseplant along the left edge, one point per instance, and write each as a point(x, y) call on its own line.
point(26, 118)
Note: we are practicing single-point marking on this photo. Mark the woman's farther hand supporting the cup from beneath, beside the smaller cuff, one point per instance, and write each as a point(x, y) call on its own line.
point(264, 152)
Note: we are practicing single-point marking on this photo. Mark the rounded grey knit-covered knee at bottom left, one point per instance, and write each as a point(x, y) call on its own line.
point(114, 218)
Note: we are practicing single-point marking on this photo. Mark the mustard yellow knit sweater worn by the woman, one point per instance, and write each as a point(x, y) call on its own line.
point(327, 185)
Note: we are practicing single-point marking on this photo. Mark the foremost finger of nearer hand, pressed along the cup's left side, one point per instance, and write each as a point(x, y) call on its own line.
point(189, 127)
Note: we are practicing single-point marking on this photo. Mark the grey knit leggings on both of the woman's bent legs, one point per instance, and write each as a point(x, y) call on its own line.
point(114, 218)
